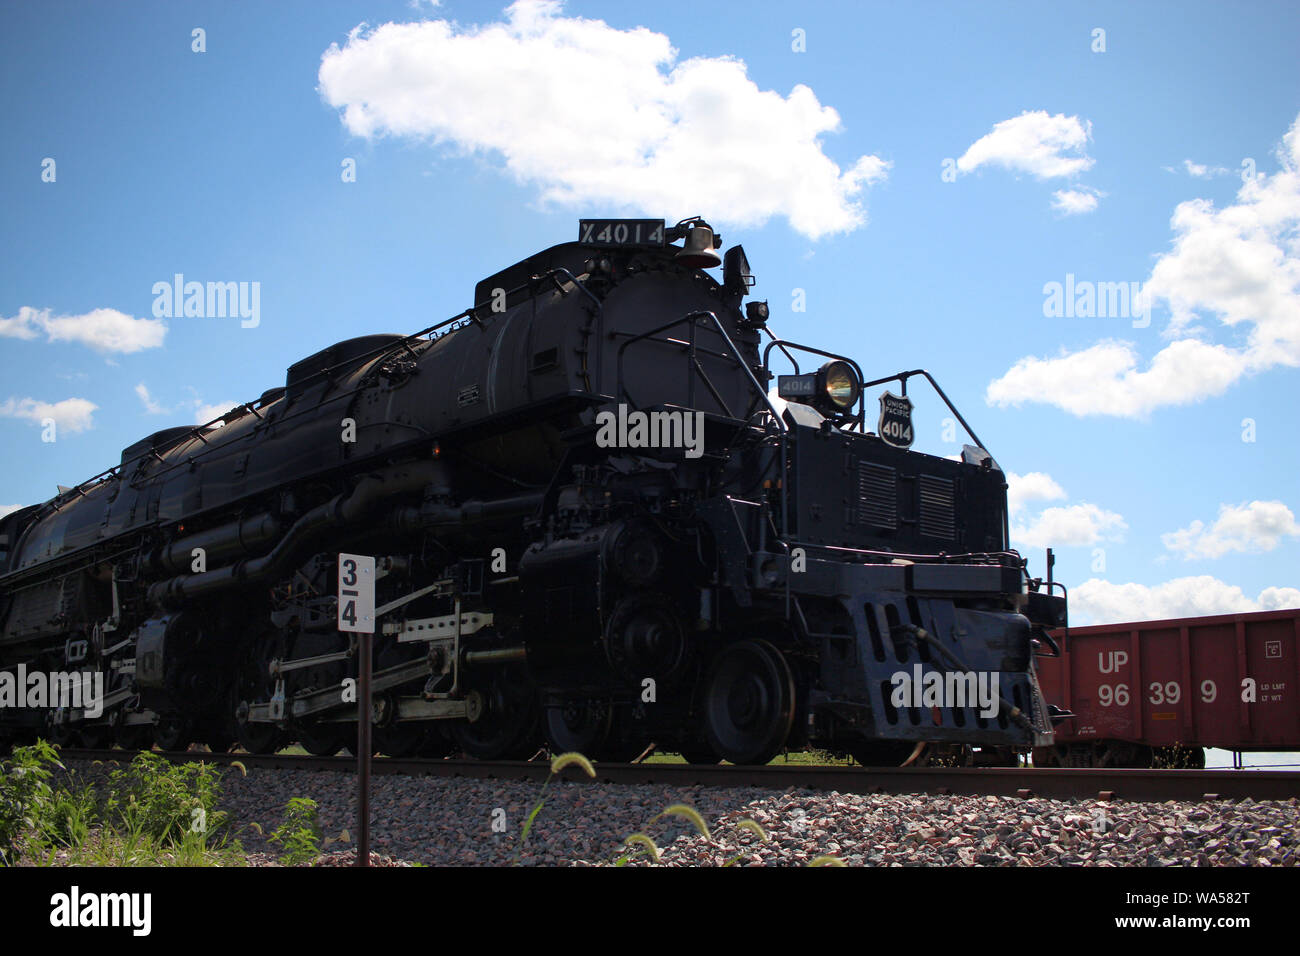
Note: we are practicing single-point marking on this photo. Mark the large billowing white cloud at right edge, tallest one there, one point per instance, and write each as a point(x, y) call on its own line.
point(1241, 265)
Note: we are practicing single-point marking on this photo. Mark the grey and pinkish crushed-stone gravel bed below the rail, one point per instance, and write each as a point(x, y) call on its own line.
point(460, 821)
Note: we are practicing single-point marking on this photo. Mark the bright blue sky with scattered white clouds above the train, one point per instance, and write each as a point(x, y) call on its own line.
point(921, 174)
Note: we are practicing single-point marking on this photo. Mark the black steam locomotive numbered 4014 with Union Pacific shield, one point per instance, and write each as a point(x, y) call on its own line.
point(596, 524)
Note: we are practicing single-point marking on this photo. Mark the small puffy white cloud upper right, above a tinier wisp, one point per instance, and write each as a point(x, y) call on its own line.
point(1034, 144)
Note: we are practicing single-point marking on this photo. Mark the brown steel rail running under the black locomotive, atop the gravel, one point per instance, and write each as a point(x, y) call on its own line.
point(1029, 782)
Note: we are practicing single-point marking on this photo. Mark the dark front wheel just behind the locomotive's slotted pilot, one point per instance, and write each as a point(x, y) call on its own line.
point(749, 708)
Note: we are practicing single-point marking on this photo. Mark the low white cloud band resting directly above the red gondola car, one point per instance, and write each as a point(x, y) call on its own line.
point(1103, 603)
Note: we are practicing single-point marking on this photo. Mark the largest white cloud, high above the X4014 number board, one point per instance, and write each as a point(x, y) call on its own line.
point(595, 116)
